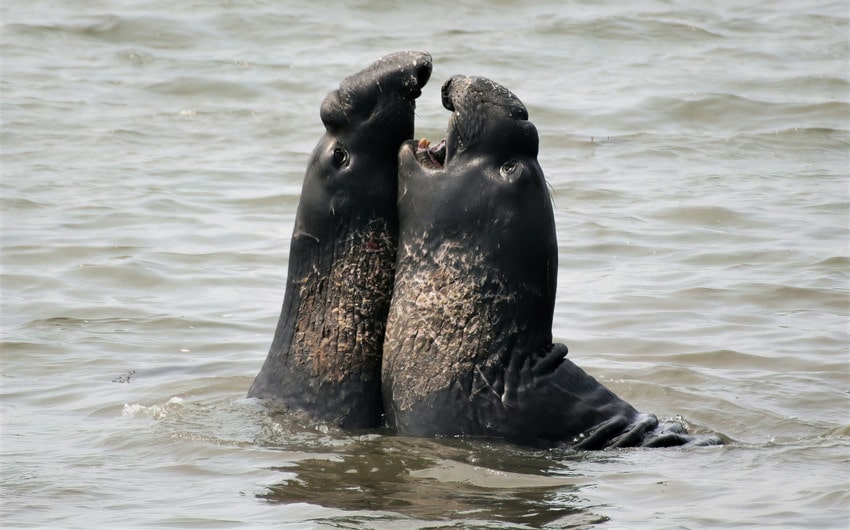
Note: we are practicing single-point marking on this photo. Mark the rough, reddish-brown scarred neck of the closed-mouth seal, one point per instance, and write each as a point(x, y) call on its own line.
point(336, 302)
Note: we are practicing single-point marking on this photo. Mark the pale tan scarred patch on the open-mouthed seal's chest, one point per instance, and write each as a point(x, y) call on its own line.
point(441, 323)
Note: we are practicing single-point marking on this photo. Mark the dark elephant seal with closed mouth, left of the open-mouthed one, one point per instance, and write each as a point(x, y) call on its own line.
point(325, 358)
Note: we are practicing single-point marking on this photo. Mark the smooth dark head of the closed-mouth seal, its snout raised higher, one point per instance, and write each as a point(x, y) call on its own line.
point(351, 176)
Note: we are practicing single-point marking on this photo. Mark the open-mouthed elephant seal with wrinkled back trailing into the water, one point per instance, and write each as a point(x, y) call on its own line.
point(468, 347)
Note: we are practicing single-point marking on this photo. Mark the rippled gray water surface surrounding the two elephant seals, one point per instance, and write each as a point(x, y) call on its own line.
point(152, 157)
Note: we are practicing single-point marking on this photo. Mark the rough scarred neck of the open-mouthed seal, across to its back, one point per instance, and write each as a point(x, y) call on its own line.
point(453, 313)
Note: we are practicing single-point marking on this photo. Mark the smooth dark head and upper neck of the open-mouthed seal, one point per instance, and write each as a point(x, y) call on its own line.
point(483, 190)
